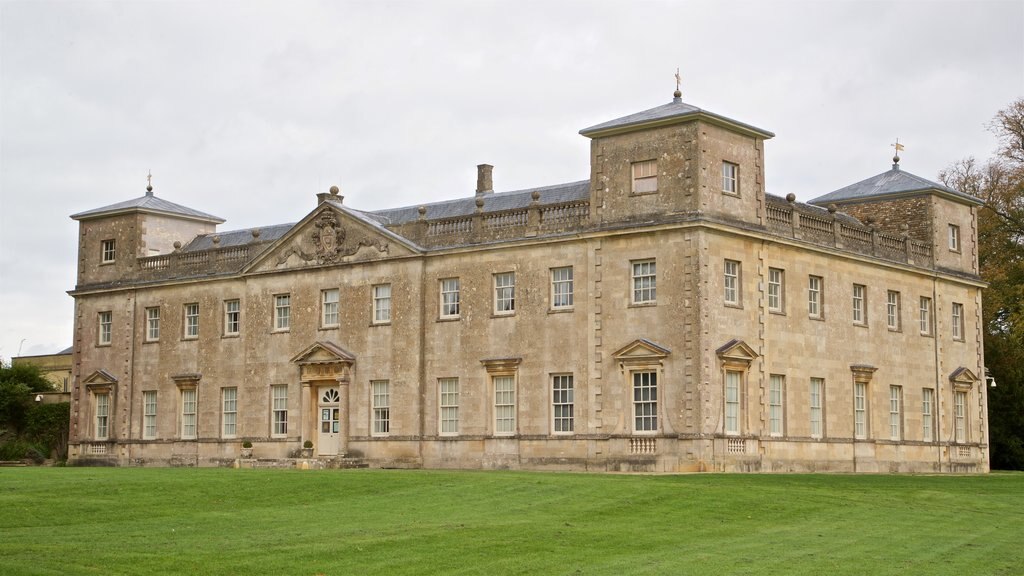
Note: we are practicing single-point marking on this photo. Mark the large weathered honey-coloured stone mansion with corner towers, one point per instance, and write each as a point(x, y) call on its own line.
point(664, 315)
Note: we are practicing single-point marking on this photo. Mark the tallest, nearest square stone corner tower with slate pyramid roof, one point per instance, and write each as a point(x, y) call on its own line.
point(676, 159)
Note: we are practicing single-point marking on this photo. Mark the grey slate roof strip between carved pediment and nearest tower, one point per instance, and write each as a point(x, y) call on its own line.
point(492, 203)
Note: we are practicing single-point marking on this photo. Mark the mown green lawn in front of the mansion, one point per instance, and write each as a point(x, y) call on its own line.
point(219, 521)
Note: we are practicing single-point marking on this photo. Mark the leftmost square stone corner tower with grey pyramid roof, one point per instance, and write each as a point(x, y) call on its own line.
point(113, 237)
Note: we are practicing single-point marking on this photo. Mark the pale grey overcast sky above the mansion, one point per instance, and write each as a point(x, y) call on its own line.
point(246, 110)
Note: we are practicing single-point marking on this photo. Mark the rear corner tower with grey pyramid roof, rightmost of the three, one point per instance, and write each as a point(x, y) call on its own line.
point(900, 203)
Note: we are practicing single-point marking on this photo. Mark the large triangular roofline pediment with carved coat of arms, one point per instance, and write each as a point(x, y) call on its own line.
point(332, 235)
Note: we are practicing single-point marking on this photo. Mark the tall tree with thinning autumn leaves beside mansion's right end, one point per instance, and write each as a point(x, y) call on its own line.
point(1000, 183)
